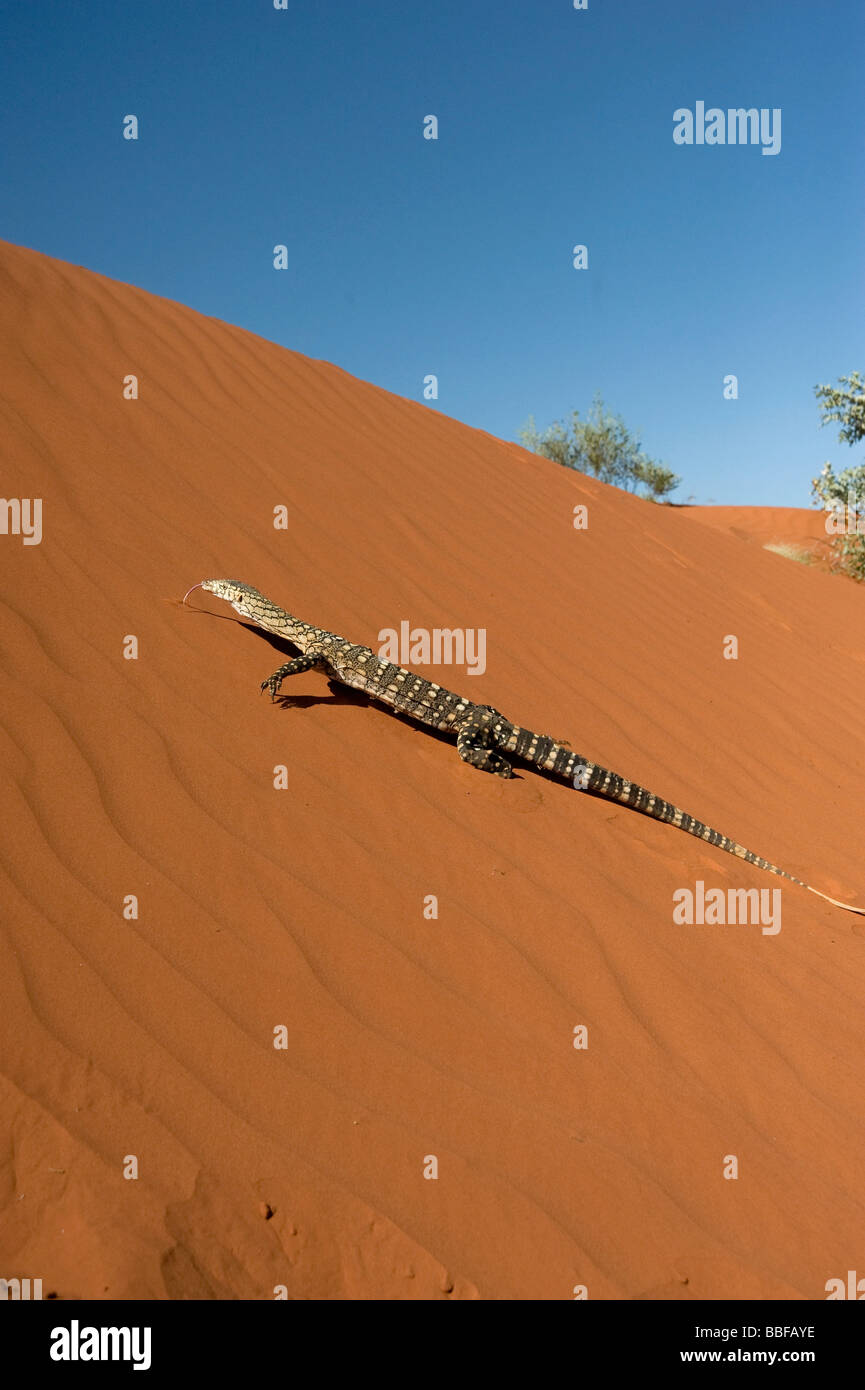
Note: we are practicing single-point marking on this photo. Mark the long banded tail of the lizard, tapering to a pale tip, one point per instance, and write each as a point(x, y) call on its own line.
point(564, 764)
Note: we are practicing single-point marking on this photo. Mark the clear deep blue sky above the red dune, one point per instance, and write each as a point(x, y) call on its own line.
point(411, 256)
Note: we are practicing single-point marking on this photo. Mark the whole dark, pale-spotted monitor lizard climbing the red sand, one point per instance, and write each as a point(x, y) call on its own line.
point(483, 735)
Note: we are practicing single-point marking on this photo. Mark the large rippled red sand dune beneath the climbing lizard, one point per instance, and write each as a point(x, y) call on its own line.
point(405, 1038)
